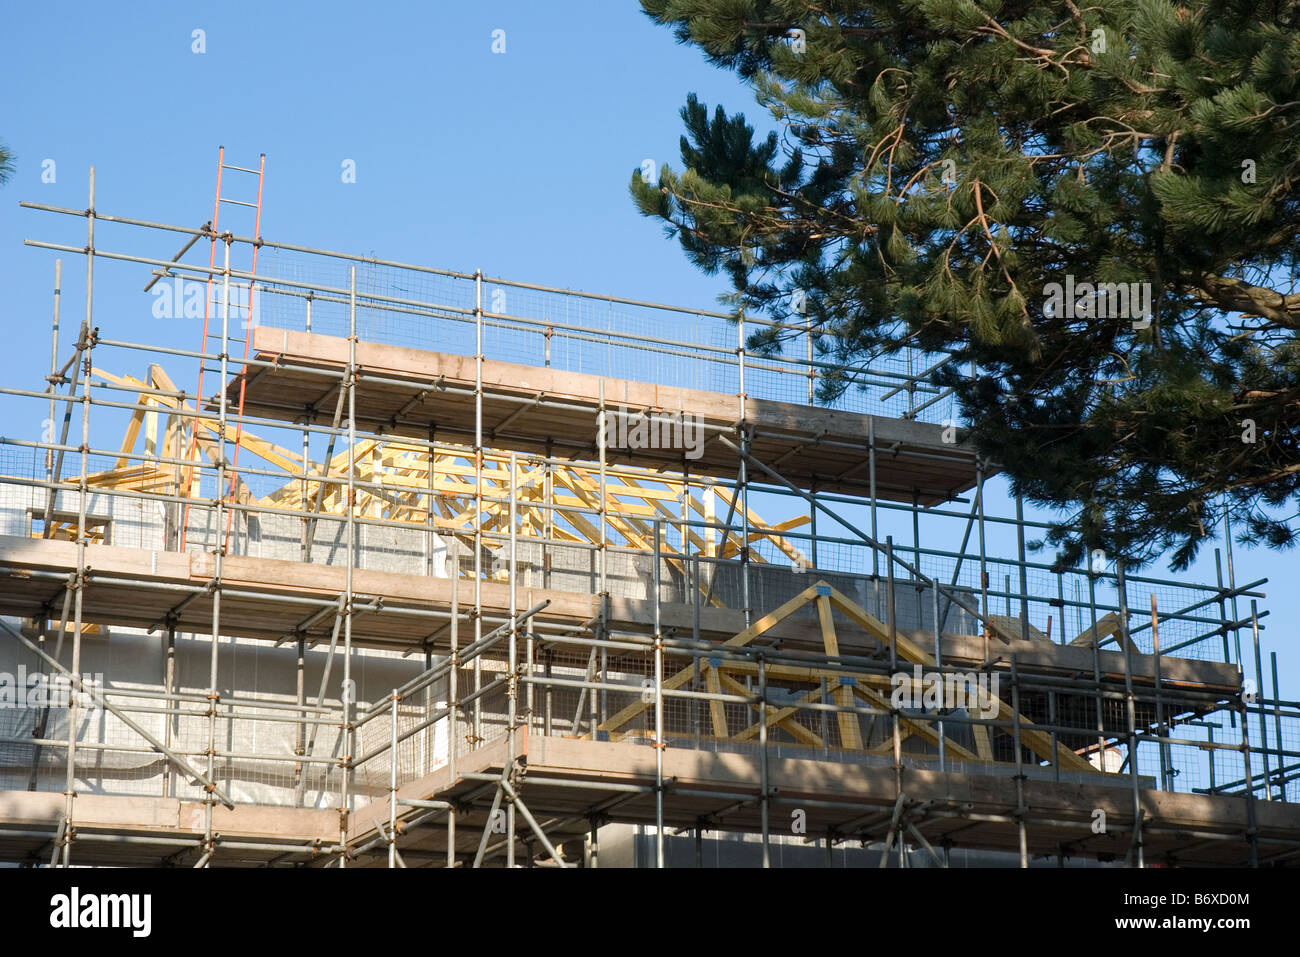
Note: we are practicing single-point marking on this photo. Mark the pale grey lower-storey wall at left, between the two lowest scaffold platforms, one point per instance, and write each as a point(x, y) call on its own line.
point(129, 661)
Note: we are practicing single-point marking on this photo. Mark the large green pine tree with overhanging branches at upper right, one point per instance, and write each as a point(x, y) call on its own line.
point(942, 163)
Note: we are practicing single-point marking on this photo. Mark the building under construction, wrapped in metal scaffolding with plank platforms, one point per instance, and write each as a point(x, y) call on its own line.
point(414, 568)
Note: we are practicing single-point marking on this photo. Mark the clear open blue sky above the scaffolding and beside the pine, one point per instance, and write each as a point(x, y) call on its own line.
point(517, 164)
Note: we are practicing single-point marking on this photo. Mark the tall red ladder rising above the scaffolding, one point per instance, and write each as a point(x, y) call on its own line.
point(249, 323)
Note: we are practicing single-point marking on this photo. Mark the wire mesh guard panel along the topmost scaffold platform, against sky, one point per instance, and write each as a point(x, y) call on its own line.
point(578, 332)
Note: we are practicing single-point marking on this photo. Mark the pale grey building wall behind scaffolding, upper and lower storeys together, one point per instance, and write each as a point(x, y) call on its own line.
point(128, 660)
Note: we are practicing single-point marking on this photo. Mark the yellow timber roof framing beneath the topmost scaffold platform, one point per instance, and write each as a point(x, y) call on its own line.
point(402, 483)
